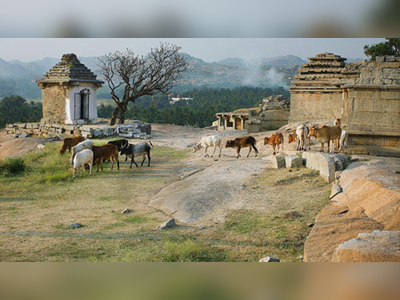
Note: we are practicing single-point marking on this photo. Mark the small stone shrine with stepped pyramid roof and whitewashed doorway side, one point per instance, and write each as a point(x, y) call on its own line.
point(69, 93)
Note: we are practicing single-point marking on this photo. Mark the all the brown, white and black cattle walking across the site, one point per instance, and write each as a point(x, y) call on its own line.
point(86, 154)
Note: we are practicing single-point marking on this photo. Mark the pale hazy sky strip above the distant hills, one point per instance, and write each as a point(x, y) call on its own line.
point(208, 49)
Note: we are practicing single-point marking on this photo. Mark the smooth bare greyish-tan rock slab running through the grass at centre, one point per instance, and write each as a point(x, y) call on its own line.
point(209, 187)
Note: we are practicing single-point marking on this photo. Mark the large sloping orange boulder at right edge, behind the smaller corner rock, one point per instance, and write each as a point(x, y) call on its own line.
point(370, 201)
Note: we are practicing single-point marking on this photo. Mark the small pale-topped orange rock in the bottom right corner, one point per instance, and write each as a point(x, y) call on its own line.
point(377, 246)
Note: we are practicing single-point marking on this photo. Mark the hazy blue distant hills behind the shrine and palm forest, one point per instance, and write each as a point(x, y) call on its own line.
point(18, 77)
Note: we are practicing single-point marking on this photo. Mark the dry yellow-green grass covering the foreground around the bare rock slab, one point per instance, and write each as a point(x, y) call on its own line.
point(36, 208)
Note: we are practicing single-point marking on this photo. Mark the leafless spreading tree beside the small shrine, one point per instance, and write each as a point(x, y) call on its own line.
point(138, 76)
